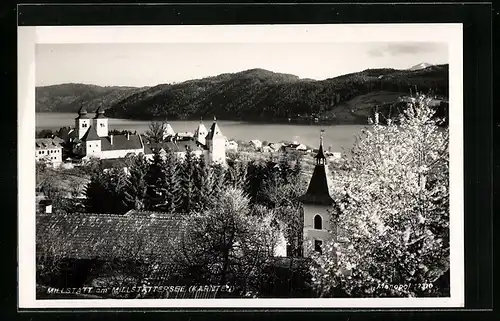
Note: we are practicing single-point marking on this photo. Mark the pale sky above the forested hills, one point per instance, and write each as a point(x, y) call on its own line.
point(143, 64)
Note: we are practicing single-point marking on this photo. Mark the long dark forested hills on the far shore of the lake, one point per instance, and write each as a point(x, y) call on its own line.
point(261, 95)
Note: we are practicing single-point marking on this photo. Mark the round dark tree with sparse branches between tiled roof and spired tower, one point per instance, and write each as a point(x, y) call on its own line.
point(226, 244)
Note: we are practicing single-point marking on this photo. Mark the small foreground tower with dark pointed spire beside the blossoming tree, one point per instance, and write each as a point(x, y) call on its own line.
point(316, 203)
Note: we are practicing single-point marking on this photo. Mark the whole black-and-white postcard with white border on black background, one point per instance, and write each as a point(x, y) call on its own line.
point(229, 166)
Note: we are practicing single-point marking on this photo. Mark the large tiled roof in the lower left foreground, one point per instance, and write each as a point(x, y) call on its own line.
point(105, 236)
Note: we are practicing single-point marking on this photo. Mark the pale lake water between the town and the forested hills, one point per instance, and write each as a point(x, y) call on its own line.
point(336, 136)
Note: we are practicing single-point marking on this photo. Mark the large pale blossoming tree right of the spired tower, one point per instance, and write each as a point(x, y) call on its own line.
point(392, 211)
